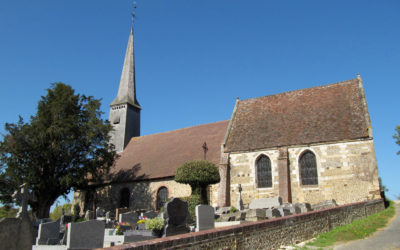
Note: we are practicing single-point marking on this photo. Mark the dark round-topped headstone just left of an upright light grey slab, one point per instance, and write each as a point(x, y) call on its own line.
point(176, 213)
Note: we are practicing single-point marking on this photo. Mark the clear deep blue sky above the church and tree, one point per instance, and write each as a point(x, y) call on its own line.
point(193, 58)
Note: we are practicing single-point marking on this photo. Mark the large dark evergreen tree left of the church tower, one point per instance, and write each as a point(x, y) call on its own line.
point(63, 147)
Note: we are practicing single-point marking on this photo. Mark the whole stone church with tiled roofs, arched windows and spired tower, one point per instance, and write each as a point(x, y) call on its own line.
point(307, 145)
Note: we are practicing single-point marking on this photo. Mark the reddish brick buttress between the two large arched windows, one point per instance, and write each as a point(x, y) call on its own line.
point(284, 175)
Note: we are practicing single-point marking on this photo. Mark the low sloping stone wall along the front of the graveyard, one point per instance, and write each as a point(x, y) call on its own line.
point(268, 234)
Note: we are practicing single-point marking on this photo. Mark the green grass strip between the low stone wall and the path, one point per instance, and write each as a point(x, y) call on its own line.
point(358, 229)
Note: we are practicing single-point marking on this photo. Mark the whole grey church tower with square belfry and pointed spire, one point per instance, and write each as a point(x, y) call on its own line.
point(125, 109)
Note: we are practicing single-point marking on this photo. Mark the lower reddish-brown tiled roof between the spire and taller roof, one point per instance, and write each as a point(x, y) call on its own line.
point(159, 155)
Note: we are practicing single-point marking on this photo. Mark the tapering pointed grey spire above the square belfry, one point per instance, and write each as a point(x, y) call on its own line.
point(127, 85)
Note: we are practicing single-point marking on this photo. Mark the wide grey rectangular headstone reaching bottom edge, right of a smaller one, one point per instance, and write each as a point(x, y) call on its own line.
point(85, 235)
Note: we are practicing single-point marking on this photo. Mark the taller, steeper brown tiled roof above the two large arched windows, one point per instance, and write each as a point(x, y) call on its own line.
point(327, 113)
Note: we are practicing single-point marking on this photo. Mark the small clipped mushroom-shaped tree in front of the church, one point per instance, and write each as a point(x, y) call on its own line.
point(198, 174)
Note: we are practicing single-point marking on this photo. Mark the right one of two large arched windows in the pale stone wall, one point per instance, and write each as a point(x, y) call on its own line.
point(308, 169)
